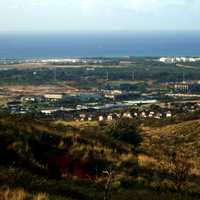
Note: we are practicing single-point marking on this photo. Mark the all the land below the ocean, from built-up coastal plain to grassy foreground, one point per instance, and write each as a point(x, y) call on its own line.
point(114, 128)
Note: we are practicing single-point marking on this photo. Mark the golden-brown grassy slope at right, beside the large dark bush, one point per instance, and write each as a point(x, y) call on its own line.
point(174, 149)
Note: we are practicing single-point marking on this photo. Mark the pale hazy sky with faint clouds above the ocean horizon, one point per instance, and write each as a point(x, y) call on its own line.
point(63, 15)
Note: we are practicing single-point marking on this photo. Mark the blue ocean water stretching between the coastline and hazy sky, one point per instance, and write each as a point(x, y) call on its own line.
point(92, 44)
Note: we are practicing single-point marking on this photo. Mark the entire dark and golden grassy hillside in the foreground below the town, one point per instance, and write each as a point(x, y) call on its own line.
point(119, 160)
